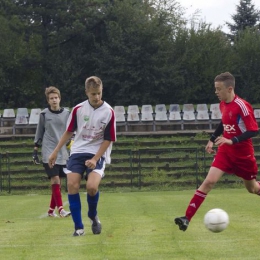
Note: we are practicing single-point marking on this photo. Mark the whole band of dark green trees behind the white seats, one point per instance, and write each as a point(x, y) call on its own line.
point(144, 51)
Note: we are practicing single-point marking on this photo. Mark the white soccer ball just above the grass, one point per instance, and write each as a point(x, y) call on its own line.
point(216, 220)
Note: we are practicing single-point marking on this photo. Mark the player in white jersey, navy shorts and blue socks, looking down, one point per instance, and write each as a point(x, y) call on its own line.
point(93, 122)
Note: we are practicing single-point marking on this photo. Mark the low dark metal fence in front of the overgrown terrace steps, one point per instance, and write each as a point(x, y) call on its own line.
point(168, 168)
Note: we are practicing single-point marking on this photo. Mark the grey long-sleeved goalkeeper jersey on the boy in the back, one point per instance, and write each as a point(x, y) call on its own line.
point(51, 126)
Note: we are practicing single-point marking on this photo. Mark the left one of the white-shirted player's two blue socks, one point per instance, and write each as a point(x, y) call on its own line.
point(75, 208)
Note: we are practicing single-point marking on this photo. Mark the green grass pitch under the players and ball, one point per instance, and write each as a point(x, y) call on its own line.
point(137, 225)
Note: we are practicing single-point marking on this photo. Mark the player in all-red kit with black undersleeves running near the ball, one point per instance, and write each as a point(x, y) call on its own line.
point(235, 153)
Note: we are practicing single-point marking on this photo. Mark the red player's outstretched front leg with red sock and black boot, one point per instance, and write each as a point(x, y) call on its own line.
point(211, 179)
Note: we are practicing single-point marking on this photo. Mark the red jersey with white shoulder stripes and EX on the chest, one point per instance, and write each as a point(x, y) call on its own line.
point(237, 118)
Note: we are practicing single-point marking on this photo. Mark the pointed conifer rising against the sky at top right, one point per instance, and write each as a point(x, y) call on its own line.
point(246, 17)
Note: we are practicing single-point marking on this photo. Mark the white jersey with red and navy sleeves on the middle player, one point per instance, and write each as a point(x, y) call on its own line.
point(92, 126)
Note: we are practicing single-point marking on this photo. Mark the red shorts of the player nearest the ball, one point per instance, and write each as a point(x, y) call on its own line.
point(244, 166)
